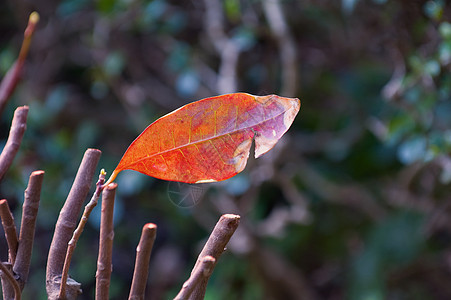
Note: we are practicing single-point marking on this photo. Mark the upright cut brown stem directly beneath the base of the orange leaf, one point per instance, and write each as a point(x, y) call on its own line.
point(105, 258)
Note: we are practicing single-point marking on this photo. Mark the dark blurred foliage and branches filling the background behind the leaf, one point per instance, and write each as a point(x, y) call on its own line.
point(352, 203)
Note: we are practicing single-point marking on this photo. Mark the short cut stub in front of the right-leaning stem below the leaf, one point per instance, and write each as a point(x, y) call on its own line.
point(203, 271)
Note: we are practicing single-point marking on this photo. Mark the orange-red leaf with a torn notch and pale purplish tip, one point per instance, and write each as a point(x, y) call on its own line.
point(210, 139)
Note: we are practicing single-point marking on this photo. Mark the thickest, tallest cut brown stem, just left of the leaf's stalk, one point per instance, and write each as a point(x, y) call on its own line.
point(68, 219)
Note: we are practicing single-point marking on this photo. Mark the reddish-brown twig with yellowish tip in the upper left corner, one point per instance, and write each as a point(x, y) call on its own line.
point(12, 77)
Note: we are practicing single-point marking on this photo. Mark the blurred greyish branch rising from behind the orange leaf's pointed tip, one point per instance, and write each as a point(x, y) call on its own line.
point(288, 56)
